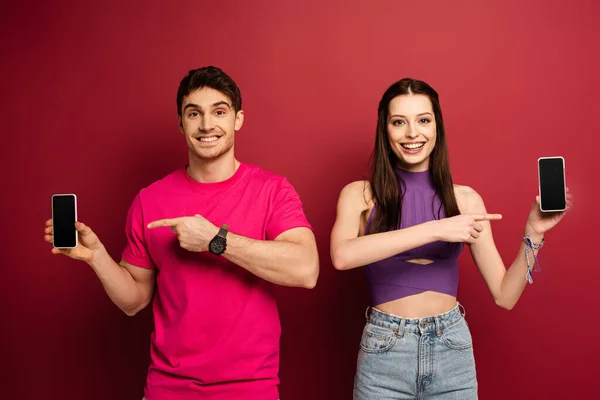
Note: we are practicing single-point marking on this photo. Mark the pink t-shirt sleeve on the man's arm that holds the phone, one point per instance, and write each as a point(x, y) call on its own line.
point(136, 251)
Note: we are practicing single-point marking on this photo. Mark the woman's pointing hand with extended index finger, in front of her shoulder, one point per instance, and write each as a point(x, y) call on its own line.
point(463, 228)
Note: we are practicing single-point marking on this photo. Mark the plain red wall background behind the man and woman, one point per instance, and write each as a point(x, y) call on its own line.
point(88, 106)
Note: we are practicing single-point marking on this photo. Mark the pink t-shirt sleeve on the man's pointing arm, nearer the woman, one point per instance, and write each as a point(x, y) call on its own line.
point(287, 211)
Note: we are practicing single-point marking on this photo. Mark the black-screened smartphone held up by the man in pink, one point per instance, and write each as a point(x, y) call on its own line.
point(64, 215)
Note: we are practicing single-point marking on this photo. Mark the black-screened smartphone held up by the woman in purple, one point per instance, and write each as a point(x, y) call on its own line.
point(553, 187)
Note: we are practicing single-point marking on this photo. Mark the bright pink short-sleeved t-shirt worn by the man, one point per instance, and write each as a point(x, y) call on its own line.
point(216, 325)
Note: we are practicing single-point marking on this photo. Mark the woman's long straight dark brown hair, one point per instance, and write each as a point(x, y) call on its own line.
point(384, 180)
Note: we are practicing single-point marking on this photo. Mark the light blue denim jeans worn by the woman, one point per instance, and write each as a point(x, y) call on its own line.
point(426, 358)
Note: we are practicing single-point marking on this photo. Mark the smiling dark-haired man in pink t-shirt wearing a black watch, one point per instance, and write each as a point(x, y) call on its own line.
point(212, 238)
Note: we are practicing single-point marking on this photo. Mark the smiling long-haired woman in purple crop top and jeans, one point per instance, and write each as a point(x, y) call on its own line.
point(407, 226)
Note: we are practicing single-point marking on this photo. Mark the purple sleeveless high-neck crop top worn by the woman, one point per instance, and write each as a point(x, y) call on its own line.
point(394, 277)
